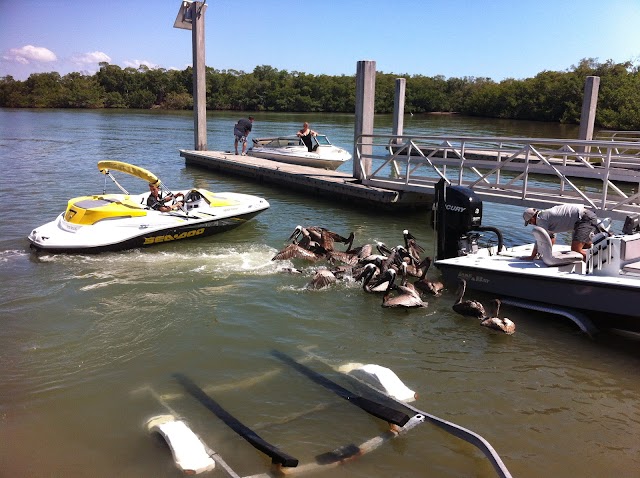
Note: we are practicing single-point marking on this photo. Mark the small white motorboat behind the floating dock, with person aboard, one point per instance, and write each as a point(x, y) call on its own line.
point(291, 149)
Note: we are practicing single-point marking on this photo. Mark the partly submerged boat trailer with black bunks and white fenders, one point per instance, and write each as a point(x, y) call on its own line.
point(377, 392)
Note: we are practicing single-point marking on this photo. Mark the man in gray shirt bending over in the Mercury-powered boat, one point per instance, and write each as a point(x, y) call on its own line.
point(564, 218)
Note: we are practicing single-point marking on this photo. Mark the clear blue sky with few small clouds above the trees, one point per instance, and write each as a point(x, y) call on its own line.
point(455, 38)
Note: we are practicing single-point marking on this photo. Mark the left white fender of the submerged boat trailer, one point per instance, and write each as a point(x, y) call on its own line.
point(189, 452)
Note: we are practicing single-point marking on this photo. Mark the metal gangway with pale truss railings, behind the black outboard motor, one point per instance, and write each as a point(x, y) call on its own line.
point(529, 172)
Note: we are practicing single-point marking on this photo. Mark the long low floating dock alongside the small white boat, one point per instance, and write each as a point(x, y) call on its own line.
point(332, 185)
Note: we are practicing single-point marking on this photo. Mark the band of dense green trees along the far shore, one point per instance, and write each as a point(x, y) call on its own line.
point(549, 96)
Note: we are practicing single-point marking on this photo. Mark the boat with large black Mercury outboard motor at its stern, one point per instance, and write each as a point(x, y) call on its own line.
point(602, 292)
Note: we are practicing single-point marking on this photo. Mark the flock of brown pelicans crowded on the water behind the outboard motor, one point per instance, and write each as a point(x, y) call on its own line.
point(382, 270)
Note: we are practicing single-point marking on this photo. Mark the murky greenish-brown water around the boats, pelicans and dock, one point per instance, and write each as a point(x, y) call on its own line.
point(84, 338)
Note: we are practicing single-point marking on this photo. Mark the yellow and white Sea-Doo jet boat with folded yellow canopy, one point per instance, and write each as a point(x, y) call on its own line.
point(112, 222)
